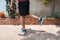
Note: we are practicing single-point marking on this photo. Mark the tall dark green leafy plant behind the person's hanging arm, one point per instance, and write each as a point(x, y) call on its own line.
point(11, 13)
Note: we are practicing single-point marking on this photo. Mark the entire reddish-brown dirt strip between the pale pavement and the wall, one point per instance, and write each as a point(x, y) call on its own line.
point(29, 20)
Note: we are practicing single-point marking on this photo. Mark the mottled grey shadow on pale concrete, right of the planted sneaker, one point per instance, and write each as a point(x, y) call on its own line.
point(40, 35)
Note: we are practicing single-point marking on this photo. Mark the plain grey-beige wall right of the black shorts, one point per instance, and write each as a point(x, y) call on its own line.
point(38, 9)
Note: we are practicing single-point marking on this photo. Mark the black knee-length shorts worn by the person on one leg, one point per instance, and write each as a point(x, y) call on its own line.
point(23, 8)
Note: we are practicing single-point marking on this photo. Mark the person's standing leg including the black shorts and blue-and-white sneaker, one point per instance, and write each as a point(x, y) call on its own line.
point(23, 12)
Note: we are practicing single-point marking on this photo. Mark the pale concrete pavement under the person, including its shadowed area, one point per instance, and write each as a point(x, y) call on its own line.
point(34, 32)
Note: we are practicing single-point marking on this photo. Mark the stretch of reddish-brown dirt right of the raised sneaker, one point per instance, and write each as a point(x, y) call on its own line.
point(55, 21)
